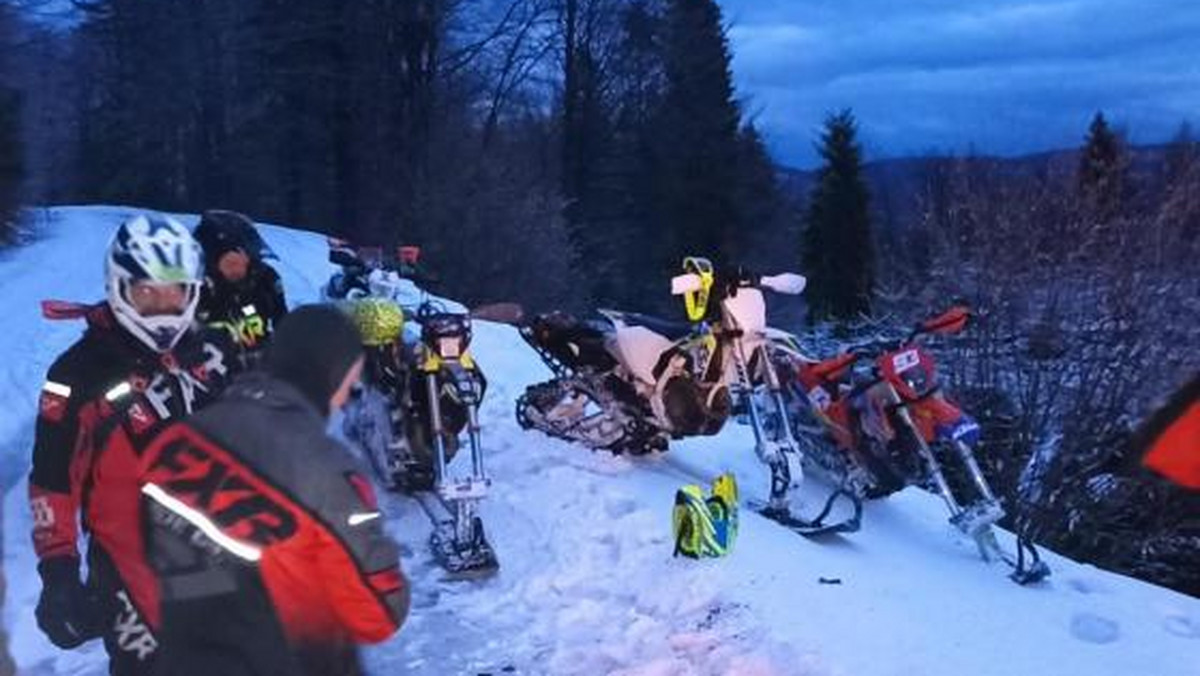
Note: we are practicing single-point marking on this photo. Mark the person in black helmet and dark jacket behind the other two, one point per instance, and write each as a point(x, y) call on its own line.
point(242, 292)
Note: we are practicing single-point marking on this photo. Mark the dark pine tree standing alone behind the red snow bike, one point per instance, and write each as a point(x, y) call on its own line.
point(839, 256)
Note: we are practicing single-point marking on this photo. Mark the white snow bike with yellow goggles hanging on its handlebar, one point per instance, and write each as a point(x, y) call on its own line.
point(631, 382)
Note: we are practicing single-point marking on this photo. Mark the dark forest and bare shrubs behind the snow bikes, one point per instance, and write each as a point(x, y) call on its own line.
point(569, 153)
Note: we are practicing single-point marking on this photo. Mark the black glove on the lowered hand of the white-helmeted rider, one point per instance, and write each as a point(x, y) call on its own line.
point(68, 613)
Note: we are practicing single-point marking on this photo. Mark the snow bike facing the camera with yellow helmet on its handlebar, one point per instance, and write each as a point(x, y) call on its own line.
point(416, 399)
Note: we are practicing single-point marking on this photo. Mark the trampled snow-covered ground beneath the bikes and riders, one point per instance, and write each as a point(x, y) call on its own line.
point(589, 584)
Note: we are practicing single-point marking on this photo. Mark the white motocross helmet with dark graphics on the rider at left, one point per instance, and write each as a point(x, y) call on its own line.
point(155, 249)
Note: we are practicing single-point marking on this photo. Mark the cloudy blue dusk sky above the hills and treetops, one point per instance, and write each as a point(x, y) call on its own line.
point(1001, 76)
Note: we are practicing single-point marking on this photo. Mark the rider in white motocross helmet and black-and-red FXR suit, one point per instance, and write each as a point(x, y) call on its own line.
point(140, 363)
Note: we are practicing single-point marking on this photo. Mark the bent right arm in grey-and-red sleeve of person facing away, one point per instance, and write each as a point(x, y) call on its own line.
point(361, 563)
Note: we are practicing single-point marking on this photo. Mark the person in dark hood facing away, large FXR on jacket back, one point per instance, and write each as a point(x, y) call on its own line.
point(265, 531)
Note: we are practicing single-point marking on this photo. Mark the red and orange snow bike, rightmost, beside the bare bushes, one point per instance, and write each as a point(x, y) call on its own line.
point(891, 426)
